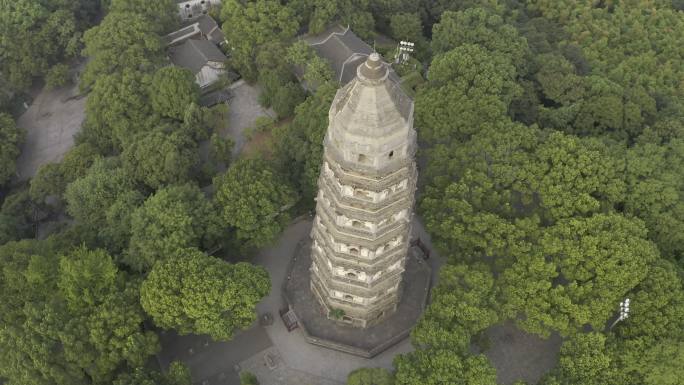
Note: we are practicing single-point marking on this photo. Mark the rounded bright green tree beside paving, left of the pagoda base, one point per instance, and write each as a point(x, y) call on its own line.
point(195, 293)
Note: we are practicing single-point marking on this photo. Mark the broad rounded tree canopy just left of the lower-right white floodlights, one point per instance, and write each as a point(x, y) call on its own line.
point(583, 269)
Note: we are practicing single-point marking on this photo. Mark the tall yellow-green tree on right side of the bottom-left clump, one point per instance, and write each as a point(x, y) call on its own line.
point(105, 320)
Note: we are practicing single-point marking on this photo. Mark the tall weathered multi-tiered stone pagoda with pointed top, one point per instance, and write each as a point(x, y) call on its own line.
point(360, 235)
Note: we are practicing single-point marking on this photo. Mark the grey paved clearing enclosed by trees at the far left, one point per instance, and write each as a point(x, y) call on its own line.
point(50, 123)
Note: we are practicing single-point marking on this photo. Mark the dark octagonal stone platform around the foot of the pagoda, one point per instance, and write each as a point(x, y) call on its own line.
point(320, 330)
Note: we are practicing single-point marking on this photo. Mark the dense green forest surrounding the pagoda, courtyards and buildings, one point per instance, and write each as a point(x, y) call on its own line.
point(551, 154)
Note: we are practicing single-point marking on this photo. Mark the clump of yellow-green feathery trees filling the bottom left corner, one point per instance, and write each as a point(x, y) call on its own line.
point(73, 319)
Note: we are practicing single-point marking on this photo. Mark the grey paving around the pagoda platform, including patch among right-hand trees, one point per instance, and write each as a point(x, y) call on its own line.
point(279, 357)
